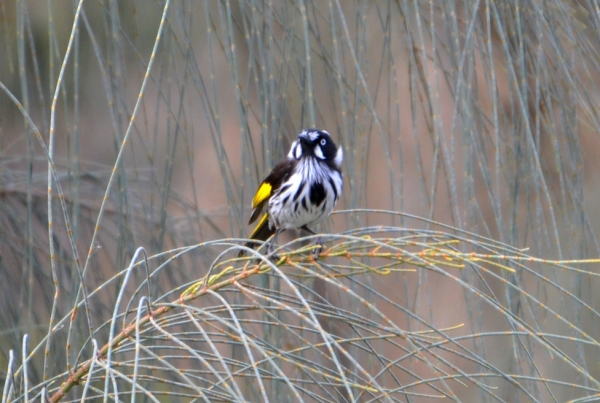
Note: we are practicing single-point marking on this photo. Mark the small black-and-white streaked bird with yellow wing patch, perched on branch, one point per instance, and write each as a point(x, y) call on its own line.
point(301, 190)
